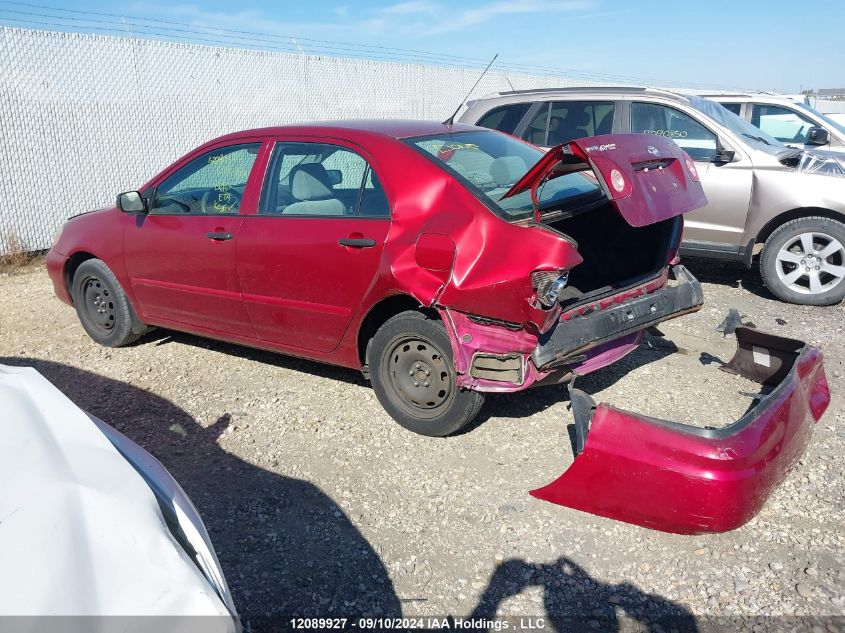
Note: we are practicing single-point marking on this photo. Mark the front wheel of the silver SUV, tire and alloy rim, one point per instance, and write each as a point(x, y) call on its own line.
point(786, 244)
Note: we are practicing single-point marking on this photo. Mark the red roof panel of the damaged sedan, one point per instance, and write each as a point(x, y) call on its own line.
point(358, 129)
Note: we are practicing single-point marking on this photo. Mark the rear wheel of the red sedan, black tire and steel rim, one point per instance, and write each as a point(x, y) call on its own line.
point(413, 375)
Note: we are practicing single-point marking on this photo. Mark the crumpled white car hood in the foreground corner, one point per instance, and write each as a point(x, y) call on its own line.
point(81, 531)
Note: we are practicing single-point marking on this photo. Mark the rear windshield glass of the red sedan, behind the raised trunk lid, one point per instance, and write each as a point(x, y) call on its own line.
point(489, 163)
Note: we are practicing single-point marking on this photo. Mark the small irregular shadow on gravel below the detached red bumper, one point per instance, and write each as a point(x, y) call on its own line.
point(575, 601)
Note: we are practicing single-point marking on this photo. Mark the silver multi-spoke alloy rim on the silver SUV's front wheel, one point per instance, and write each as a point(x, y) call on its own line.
point(811, 263)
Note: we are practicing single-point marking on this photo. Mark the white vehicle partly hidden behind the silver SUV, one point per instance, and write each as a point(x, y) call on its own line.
point(791, 122)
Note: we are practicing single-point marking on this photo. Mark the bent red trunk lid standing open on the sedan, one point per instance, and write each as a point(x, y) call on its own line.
point(648, 178)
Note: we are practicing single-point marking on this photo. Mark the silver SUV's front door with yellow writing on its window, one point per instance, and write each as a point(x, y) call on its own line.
point(721, 222)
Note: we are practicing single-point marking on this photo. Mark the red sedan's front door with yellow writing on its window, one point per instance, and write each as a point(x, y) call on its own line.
point(180, 257)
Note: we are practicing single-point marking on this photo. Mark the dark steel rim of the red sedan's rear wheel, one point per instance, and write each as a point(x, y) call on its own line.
point(420, 376)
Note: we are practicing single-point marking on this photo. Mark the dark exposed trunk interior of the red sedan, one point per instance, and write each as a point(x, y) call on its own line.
point(615, 253)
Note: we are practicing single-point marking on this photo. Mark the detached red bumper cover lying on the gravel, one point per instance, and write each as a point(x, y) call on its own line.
point(678, 478)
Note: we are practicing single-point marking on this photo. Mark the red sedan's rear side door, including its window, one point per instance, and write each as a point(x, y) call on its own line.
point(311, 251)
